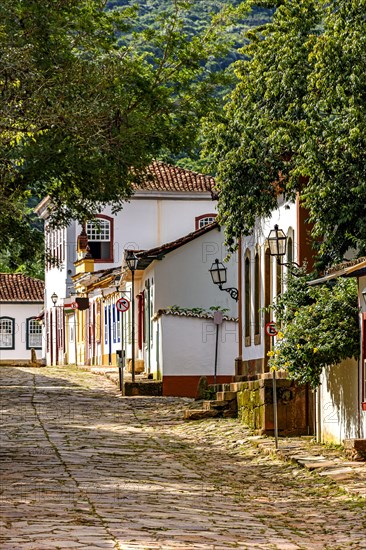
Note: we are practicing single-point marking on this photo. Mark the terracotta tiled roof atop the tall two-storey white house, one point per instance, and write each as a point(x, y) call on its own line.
point(165, 177)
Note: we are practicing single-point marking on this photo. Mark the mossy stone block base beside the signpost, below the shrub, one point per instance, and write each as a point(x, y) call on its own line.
point(294, 406)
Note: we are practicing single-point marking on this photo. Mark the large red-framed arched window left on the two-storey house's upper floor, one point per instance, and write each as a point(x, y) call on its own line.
point(100, 238)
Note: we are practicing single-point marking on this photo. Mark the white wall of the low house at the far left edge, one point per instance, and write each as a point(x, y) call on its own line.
point(20, 313)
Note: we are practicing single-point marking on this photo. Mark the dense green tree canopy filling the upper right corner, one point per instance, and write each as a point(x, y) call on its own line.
point(295, 123)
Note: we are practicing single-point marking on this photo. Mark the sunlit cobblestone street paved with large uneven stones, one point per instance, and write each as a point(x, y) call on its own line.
point(85, 468)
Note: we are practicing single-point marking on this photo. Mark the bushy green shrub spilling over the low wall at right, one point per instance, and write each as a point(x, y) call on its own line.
point(320, 327)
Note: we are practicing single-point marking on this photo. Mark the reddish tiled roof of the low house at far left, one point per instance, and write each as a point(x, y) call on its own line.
point(16, 287)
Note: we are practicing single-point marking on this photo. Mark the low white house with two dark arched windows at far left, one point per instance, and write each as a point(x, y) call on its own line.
point(21, 301)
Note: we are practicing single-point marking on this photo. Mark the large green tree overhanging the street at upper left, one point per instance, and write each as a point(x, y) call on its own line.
point(84, 113)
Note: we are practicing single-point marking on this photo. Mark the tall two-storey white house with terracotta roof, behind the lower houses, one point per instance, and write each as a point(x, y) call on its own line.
point(172, 203)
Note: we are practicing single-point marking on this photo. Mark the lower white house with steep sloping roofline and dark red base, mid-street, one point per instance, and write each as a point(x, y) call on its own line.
point(175, 300)
